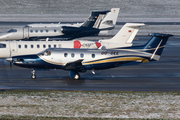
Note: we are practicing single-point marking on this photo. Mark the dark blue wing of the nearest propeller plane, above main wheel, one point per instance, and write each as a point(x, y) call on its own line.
point(76, 65)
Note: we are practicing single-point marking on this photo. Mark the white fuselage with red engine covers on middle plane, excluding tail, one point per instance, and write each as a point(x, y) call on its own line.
point(15, 48)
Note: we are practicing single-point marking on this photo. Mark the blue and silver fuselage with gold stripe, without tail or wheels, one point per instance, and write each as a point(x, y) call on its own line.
point(91, 59)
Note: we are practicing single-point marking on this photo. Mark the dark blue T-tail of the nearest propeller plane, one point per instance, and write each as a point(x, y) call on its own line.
point(156, 45)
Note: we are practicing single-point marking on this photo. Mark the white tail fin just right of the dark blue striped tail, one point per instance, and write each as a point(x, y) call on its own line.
point(110, 19)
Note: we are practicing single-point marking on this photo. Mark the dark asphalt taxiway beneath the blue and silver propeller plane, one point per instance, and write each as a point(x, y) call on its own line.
point(162, 75)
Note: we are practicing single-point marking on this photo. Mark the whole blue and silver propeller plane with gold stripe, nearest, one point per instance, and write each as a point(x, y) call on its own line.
point(81, 60)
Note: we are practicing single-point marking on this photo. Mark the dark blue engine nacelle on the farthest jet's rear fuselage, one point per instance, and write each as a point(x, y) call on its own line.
point(70, 30)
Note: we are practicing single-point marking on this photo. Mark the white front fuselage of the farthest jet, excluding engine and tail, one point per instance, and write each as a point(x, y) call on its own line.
point(36, 31)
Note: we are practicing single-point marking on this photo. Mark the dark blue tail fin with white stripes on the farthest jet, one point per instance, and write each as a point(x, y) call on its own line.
point(95, 19)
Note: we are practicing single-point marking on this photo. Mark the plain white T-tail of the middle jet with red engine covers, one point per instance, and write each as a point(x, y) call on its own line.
point(125, 35)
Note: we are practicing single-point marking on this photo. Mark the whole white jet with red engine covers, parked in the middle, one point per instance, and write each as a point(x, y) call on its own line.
point(123, 38)
